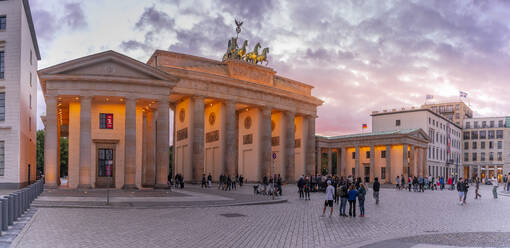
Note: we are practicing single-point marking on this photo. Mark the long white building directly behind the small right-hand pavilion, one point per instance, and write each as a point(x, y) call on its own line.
point(444, 149)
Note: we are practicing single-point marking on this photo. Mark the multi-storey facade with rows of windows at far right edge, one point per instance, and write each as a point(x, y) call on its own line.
point(486, 147)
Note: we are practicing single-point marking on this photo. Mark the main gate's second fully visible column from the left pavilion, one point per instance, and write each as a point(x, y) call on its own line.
point(230, 138)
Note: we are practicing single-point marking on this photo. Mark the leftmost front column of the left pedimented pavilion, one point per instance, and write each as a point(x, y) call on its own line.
point(50, 143)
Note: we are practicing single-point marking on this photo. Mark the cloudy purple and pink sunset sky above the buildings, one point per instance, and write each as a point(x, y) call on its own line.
point(360, 55)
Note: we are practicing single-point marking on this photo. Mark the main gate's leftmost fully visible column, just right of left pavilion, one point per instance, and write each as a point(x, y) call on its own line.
point(197, 156)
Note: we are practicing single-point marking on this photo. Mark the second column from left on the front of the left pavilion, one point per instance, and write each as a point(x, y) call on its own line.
point(85, 142)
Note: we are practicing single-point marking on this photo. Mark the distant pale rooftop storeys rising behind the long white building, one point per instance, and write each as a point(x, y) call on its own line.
point(453, 111)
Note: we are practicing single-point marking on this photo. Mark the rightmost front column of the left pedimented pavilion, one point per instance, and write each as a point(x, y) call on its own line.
point(162, 144)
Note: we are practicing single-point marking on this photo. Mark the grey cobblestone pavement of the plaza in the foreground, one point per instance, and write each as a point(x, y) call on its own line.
point(292, 224)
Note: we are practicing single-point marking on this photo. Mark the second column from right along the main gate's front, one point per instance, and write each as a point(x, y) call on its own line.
point(289, 147)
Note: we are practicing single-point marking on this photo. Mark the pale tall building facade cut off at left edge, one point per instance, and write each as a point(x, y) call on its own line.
point(19, 54)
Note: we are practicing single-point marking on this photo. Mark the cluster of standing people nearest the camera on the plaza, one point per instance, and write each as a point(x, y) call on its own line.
point(348, 191)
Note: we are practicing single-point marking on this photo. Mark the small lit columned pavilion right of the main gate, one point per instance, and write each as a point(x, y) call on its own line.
point(384, 154)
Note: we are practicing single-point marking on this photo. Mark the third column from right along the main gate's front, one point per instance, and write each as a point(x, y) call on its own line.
point(265, 141)
